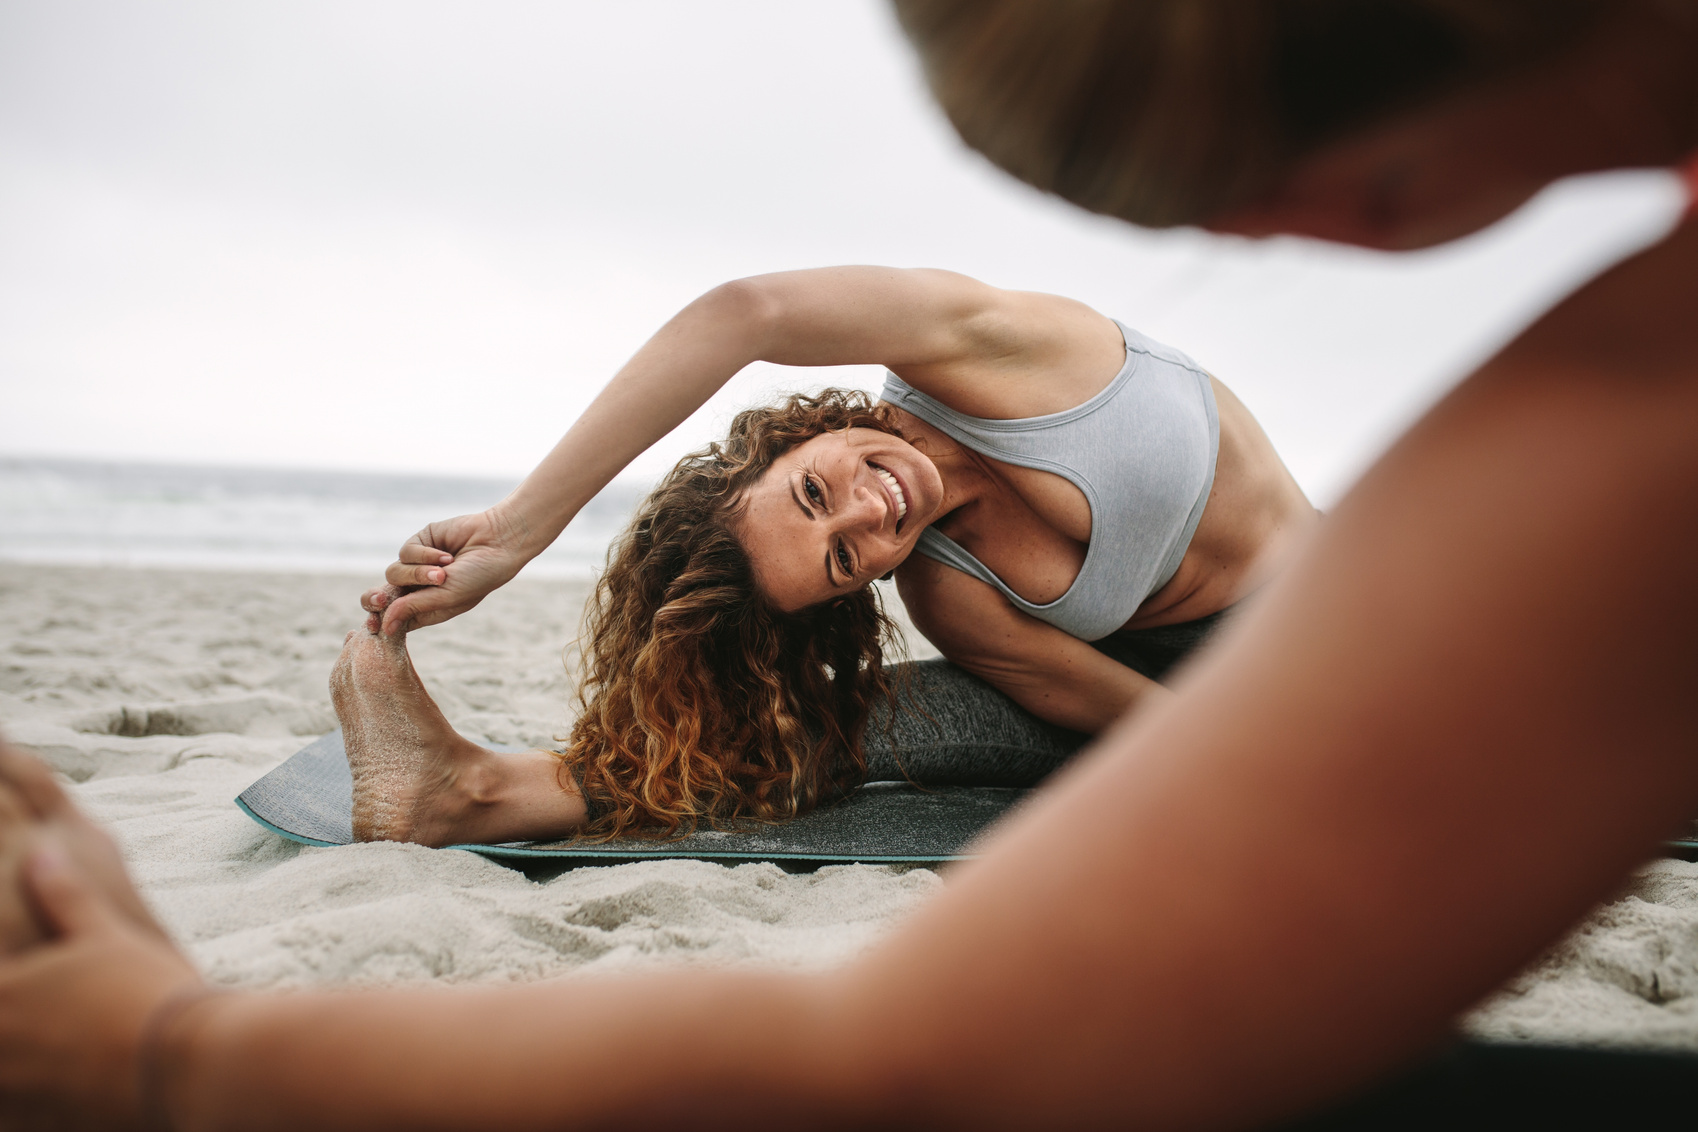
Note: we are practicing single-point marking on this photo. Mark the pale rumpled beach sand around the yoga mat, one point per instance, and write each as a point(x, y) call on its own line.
point(160, 695)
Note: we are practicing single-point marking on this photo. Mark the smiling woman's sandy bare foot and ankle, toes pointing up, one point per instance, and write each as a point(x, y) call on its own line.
point(415, 778)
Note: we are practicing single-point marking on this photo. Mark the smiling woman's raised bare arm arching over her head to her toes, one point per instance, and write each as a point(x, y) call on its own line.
point(938, 328)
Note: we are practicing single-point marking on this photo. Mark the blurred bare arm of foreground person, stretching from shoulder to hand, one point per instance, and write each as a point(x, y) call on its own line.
point(1442, 736)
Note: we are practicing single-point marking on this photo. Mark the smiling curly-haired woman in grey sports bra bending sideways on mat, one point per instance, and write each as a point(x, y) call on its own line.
point(1067, 507)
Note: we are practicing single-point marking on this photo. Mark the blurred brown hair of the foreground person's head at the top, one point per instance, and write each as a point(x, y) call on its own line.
point(1176, 111)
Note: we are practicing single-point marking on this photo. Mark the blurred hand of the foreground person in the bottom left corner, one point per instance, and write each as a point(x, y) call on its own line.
point(77, 1012)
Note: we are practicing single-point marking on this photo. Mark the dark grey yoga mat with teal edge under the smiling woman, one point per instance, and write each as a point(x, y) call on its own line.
point(310, 800)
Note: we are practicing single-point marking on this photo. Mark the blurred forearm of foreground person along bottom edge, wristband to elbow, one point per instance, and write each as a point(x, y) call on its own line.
point(660, 1050)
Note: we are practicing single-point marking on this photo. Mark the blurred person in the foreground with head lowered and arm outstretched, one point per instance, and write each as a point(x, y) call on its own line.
point(1441, 737)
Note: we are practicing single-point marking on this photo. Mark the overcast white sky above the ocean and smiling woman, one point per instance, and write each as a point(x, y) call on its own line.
point(420, 237)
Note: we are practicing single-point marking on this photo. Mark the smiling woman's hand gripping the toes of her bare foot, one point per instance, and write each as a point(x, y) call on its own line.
point(447, 569)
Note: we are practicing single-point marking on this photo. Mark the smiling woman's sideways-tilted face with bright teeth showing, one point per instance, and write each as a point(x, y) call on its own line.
point(836, 513)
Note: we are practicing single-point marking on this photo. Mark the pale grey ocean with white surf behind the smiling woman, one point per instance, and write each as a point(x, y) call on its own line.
point(227, 518)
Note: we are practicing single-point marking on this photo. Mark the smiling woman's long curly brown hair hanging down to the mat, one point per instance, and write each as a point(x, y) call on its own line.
point(702, 703)
